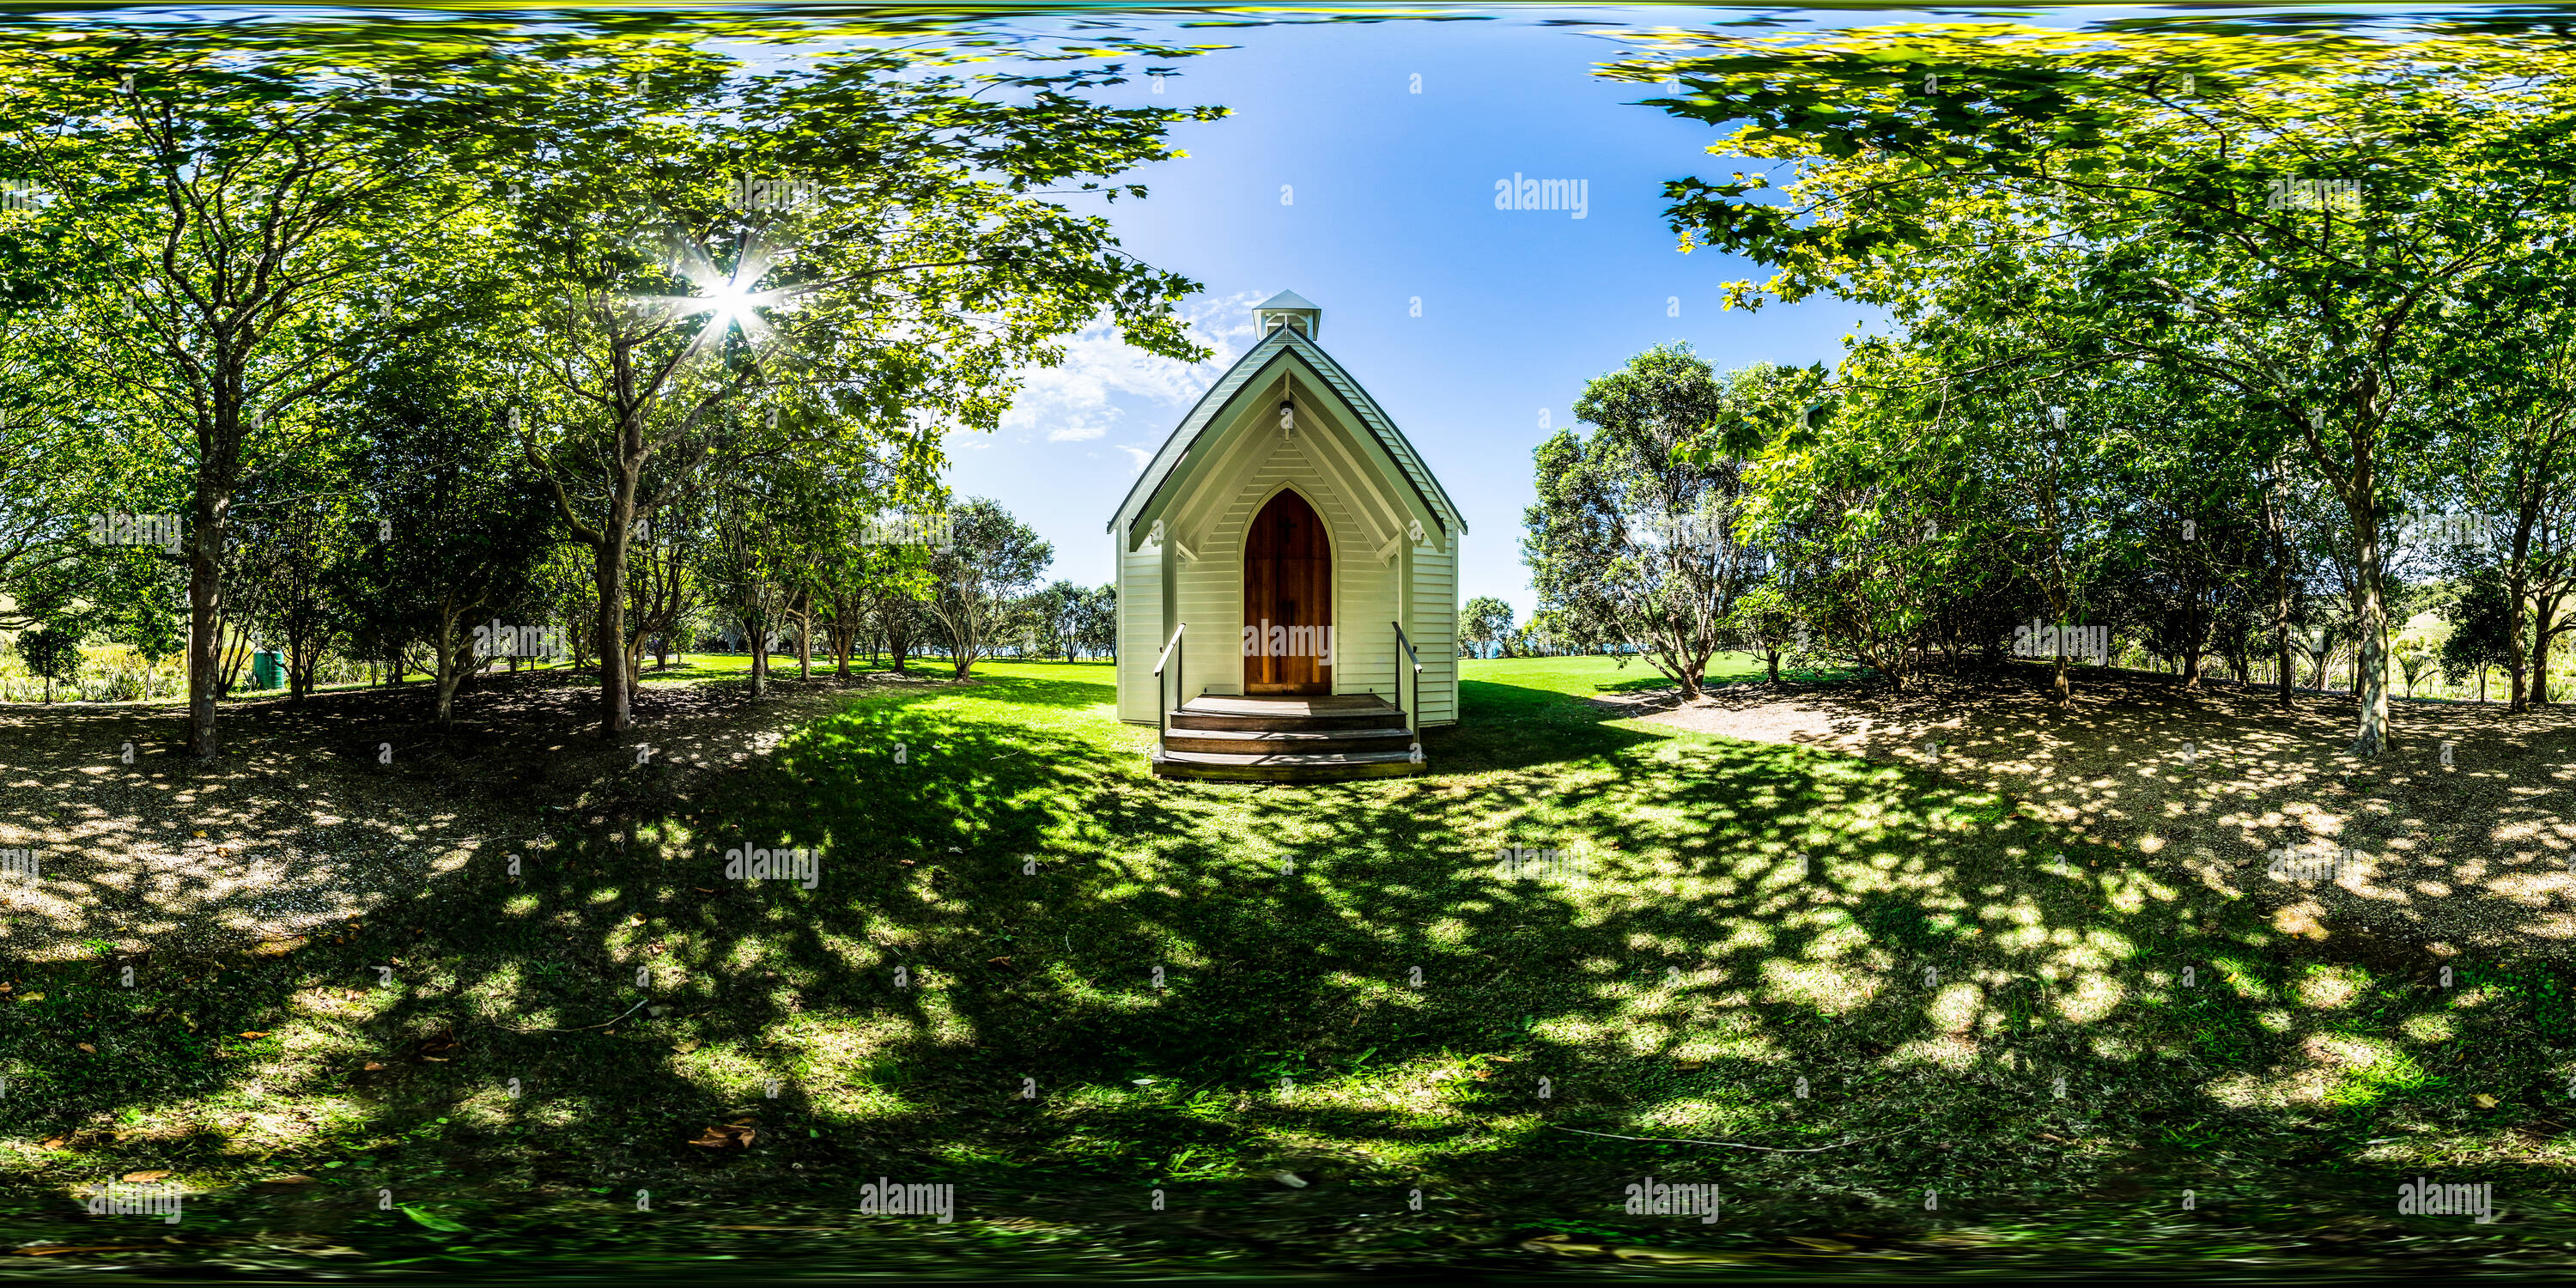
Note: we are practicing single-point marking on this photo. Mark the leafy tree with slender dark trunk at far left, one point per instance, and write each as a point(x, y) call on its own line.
point(225, 213)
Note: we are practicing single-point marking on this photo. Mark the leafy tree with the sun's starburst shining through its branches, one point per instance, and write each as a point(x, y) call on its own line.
point(903, 290)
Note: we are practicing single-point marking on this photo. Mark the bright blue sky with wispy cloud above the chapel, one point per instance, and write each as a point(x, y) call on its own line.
point(1395, 200)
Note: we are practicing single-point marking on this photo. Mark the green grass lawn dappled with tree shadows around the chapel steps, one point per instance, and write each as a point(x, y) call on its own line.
point(1060, 985)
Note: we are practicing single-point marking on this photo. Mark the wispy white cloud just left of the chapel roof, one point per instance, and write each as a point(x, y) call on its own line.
point(1081, 398)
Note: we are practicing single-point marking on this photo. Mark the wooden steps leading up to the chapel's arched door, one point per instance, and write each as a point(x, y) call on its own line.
point(1287, 741)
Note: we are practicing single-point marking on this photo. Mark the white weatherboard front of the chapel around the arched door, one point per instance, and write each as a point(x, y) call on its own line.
point(1364, 480)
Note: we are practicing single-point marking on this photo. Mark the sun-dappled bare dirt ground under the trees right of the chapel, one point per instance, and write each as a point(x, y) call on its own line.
point(2211, 784)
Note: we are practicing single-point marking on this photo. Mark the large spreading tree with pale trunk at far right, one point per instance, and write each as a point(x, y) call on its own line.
point(2278, 215)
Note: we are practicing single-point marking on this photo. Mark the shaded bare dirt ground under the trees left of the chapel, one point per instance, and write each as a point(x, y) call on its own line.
point(316, 815)
